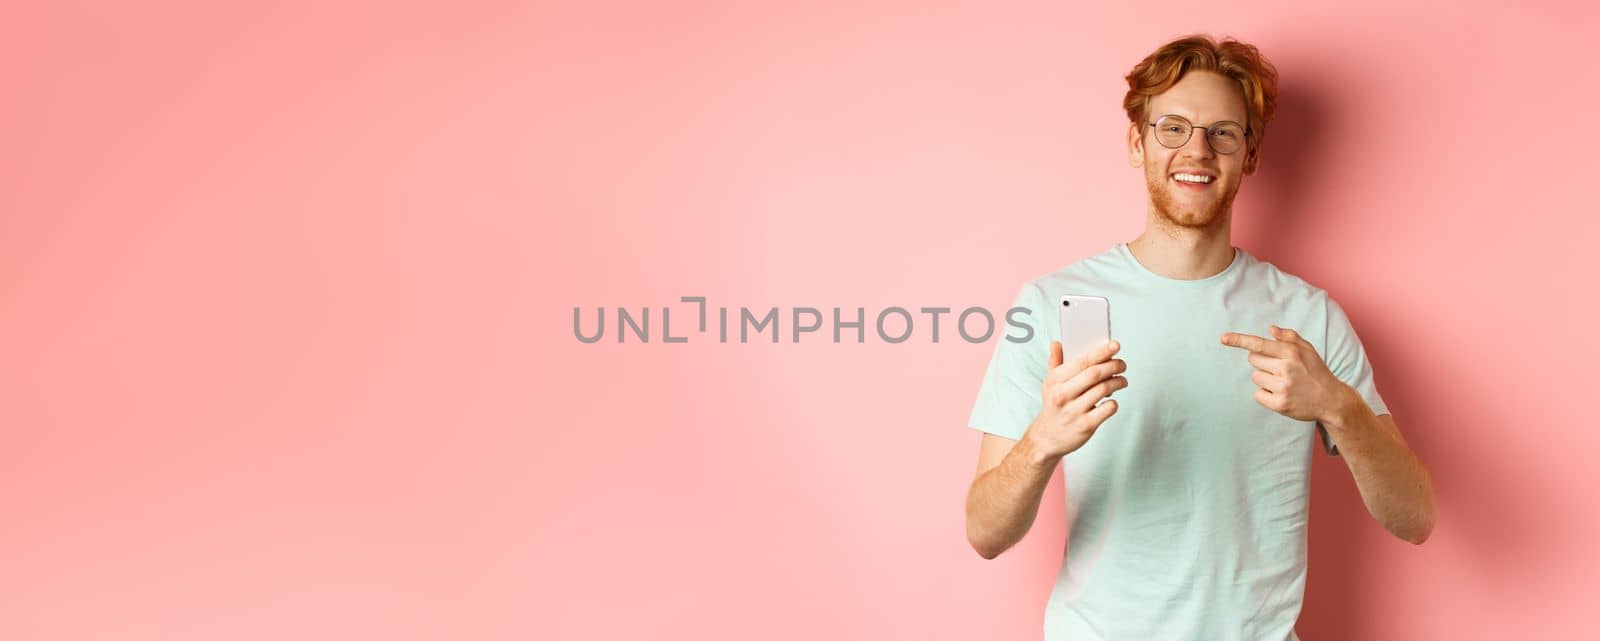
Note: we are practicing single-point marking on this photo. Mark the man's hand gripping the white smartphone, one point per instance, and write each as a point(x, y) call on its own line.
point(1070, 415)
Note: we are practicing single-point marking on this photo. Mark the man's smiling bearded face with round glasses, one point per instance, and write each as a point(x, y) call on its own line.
point(1193, 186)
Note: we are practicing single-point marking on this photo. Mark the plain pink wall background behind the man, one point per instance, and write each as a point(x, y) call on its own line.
point(287, 309)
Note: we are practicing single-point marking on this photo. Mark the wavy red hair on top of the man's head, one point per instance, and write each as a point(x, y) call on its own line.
point(1236, 60)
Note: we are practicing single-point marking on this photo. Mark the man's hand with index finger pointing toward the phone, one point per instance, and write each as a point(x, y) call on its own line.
point(1292, 376)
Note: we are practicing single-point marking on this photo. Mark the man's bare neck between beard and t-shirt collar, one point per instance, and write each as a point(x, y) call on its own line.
point(1185, 253)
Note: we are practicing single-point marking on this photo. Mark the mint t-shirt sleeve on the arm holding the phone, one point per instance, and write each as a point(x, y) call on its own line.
point(1009, 397)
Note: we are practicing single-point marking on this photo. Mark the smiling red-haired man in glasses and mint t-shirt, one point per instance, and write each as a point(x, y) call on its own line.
point(1188, 495)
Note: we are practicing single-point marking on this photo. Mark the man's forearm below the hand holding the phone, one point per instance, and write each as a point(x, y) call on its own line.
point(1004, 501)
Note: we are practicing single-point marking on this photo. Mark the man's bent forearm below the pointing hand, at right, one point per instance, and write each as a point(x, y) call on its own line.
point(1394, 485)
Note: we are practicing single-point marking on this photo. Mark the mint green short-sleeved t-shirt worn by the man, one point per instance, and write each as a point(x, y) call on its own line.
point(1188, 509)
